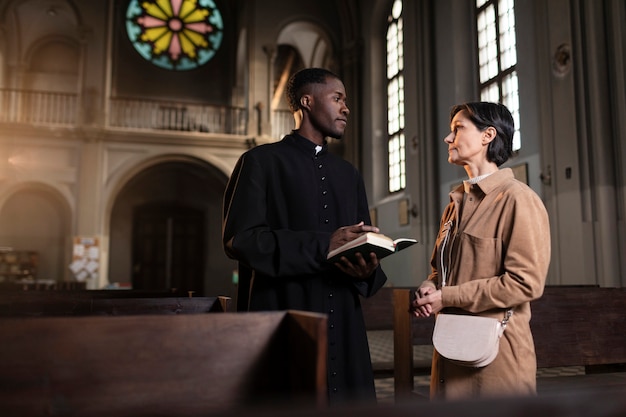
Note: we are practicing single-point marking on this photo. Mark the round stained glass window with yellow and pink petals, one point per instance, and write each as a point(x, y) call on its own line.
point(175, 34)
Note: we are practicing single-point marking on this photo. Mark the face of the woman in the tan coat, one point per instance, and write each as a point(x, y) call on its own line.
point(466, 144)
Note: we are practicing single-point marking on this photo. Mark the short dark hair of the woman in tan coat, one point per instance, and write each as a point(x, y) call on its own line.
point(484, 114)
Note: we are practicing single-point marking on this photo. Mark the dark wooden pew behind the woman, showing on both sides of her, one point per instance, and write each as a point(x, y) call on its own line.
point(573, 326)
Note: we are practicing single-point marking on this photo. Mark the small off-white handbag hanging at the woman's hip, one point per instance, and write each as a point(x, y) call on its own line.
point(468, 340)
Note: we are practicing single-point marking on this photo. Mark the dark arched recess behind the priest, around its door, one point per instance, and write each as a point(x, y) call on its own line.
point(171, 184)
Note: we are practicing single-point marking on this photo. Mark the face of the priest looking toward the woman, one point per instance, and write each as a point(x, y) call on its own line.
point(328, 110)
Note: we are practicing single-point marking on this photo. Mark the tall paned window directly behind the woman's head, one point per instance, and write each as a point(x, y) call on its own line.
point(497, 57)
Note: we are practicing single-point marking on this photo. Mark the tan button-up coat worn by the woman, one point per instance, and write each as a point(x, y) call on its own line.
point(496, 257)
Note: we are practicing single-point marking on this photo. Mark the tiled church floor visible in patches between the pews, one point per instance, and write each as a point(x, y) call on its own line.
point(381, 351)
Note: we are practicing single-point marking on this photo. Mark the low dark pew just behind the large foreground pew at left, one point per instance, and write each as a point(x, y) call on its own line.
point(95, 302)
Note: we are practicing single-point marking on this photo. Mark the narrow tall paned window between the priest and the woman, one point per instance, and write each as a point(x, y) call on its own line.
point(395, 99)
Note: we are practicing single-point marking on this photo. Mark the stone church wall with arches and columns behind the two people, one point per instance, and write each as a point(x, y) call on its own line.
point(84, 164)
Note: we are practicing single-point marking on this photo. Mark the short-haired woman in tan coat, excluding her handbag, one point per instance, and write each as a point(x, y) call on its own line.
point(491, 255)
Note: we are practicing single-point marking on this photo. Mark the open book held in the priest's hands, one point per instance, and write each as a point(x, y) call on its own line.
point(378, 243)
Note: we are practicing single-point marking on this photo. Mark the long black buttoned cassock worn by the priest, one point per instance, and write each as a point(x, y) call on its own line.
point(281, 205)
